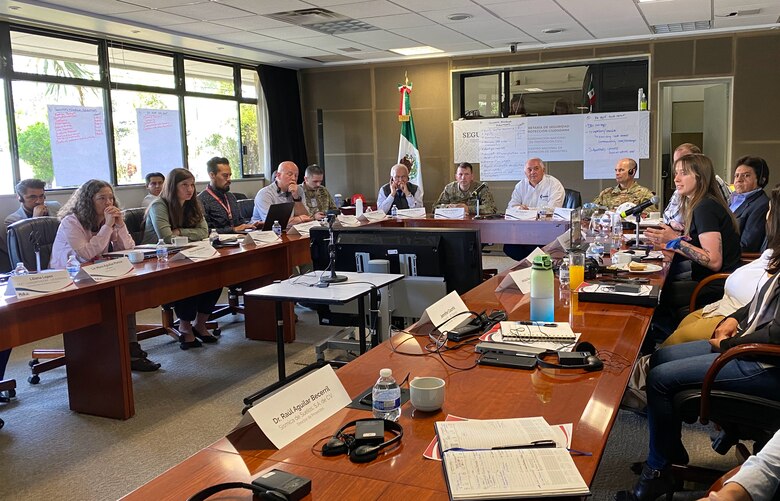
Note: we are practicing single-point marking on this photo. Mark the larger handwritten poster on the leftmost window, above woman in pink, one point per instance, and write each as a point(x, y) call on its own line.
point(78, 144)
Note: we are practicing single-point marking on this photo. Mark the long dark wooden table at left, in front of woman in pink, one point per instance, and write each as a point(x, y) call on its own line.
point(91, 317)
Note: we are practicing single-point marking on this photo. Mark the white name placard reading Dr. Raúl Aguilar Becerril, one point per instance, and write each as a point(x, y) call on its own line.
point(301, 406)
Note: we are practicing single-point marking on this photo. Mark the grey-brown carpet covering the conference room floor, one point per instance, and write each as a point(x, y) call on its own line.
point(49, 452)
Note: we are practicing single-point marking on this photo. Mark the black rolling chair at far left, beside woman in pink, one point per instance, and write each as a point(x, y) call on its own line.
point(21, 235)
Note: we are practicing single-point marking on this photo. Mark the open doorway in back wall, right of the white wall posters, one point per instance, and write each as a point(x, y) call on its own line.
point(694, 111)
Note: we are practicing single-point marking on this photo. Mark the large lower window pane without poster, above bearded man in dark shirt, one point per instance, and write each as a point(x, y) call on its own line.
point(212, 130)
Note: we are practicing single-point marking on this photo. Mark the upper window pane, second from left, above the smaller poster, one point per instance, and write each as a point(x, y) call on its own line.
point(140, 68)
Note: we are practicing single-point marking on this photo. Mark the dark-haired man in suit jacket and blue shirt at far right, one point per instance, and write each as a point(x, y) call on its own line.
point(749, 203)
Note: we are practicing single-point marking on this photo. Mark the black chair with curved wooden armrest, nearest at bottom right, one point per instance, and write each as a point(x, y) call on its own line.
point(740, 416)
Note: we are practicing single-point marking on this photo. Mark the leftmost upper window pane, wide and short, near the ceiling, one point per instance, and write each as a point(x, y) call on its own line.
point(58, 57)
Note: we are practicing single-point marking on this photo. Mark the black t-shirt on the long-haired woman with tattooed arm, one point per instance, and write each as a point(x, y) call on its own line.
point(709, 216)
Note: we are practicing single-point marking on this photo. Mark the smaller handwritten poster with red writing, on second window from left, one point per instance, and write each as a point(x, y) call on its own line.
point(159, 138)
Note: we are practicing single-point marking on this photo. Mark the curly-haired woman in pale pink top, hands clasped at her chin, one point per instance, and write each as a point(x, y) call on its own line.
point(91, 225)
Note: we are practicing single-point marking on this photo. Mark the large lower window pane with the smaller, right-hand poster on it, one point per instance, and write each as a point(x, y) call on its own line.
point(147, 134)
